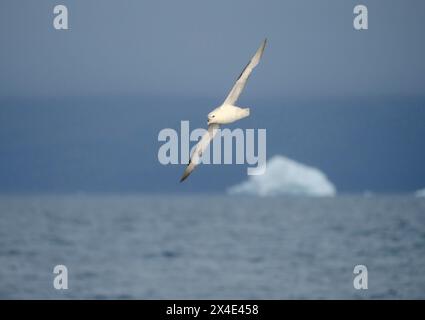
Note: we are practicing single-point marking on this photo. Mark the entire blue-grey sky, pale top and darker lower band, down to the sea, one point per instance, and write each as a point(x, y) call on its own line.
point(81, 109)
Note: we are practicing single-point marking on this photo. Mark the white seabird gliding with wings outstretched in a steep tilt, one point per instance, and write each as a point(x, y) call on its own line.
point(226, 113)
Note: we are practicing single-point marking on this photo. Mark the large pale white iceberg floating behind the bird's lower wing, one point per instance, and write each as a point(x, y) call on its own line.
point(284, 176)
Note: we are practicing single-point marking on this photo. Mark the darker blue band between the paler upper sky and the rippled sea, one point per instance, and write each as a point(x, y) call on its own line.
point(110, 144)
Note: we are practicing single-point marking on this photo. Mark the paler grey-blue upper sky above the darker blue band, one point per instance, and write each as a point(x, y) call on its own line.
point(199, 47)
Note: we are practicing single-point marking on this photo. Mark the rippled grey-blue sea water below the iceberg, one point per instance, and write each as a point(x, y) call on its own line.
point(205, 246)
